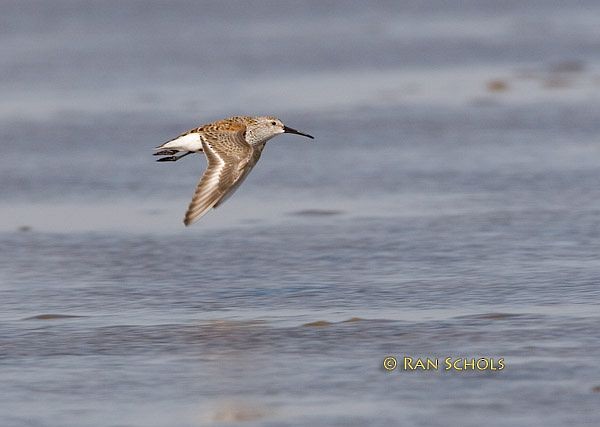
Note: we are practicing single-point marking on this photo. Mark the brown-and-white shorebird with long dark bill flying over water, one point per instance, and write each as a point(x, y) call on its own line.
point(232, 147)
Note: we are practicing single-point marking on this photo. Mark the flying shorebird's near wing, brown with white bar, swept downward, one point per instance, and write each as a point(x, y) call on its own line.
point(229, 159)
